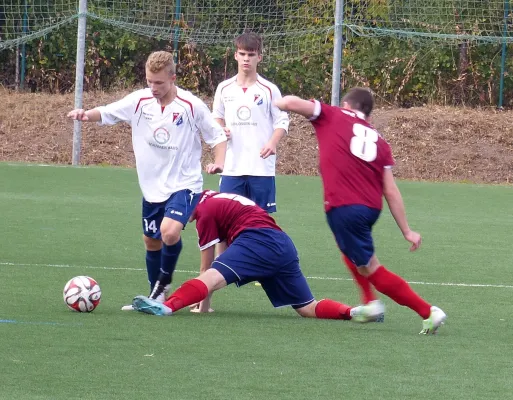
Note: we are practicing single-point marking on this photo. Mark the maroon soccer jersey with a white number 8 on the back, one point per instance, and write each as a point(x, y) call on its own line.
point(352, 158)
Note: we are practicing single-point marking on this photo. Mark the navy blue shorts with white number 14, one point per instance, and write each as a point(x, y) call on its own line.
point(179, 207)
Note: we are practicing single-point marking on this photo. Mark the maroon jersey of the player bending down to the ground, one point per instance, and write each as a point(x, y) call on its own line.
point(223, 216)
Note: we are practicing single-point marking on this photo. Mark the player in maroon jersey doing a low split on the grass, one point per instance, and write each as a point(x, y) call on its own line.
point(258, 250)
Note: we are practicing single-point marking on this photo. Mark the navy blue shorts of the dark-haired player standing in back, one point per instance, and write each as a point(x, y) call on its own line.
point(260, 189)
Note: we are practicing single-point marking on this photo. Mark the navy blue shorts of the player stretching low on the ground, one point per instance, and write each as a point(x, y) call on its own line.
point(270, 257)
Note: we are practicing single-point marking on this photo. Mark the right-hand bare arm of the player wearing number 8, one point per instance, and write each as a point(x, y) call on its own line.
point(396, 205)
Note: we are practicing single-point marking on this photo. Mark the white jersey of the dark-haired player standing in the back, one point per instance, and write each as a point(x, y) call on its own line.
point(252, 118)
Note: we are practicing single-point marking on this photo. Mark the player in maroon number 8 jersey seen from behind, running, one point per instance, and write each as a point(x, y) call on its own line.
point(356, 169)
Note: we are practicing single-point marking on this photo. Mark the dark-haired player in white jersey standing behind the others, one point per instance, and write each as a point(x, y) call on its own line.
point(244, 106)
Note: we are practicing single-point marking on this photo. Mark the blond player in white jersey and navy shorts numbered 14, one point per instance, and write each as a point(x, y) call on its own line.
point(166, 124)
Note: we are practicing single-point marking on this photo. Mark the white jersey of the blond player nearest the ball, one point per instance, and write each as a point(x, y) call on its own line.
point(166, 140)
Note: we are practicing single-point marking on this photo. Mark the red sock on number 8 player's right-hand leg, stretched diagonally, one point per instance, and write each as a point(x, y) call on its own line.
point(398, 290)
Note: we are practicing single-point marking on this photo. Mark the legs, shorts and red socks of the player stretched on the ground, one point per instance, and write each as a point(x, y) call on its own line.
point(264, 254)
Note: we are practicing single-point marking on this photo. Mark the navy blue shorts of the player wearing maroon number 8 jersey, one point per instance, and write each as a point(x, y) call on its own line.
point(352, 227)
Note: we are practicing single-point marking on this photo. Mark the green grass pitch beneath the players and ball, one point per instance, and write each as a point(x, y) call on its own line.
point(59, 222)
